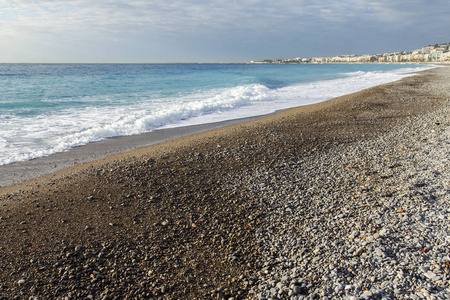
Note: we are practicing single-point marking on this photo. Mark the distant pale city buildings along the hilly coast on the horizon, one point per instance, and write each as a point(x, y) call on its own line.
point(439, 53)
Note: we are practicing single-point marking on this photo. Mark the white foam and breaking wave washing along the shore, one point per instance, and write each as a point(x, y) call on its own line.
point(56, 133)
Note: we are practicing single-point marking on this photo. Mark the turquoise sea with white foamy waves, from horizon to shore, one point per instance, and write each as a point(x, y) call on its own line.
point(50, 108)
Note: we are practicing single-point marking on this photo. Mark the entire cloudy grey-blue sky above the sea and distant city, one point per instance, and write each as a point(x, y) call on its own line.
point(158, 31)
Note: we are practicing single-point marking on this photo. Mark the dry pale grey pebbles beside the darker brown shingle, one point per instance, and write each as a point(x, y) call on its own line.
point(380, 230)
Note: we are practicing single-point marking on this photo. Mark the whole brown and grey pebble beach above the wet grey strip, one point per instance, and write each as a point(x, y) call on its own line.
point(345, 199)
